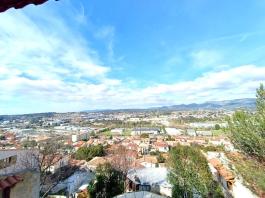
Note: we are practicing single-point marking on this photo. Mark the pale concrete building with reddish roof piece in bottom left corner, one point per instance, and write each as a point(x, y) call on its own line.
point(19, 175)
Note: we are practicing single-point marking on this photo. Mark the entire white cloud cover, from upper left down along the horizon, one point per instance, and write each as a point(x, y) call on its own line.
point(48, 66)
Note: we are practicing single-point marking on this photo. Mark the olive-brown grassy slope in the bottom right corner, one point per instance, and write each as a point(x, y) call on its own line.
point(252, 172)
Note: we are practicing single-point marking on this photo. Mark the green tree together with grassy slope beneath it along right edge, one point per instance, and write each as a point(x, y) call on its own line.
point(247, 133)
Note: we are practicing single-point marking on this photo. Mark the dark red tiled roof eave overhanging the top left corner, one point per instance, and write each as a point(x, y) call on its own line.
point(6, 4)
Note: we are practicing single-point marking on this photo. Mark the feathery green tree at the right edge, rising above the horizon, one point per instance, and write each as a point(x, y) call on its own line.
point(247, 130)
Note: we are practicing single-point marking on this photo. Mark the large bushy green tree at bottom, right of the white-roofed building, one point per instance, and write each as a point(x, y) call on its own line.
point(190, 174)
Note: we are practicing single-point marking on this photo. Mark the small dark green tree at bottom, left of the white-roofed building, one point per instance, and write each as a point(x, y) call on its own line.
point(108, 183)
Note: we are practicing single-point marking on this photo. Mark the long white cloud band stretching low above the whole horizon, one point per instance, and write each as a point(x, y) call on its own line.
point(234, 83)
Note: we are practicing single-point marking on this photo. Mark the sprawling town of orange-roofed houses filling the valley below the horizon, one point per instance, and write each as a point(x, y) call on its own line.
point(138, 143)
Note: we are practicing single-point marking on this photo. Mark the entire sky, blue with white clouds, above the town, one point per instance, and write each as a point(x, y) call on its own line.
point(76, 55)
